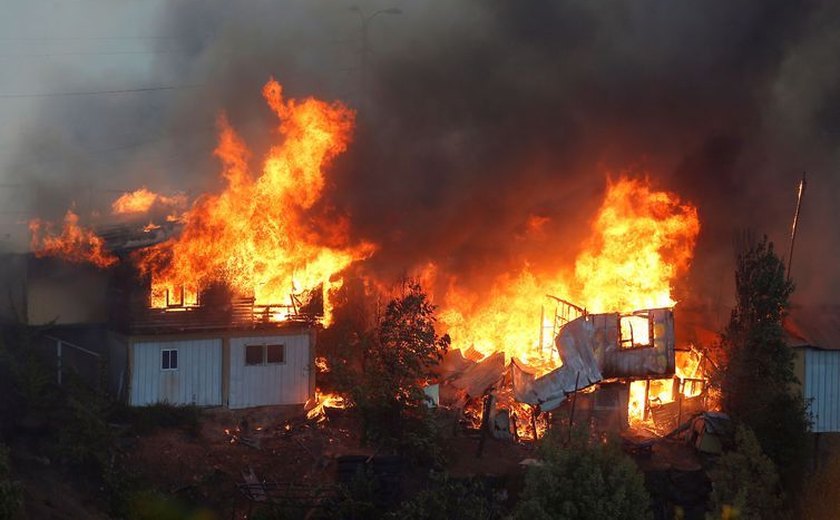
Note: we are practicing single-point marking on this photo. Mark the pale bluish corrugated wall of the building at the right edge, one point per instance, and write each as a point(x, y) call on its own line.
point(822, 388)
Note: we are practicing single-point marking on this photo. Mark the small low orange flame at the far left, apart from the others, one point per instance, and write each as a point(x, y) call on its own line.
point(74, 243)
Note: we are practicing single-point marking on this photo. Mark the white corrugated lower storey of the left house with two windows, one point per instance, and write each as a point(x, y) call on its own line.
point(233, 368)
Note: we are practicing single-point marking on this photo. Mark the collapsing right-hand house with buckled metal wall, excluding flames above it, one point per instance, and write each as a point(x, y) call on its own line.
point(616, 370)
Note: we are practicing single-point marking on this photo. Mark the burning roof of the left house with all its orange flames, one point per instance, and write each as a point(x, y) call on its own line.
point(260, 235)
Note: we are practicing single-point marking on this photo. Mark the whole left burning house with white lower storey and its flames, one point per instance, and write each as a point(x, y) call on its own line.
point(213, 305)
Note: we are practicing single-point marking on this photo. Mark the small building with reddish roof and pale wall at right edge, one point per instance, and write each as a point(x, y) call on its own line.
point(814, 335)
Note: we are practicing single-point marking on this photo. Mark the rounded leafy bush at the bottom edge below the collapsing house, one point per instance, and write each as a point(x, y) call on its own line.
point(584, 479)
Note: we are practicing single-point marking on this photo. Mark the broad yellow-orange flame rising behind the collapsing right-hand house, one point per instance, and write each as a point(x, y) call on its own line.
point(642, 240)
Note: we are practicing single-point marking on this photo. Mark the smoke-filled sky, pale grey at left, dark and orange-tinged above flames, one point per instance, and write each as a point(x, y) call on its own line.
point(472, 116)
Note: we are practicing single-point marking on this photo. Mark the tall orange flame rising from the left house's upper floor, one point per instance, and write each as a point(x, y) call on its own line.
point(255, 235)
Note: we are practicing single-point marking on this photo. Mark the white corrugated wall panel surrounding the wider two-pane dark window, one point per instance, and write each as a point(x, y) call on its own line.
point(261, 385)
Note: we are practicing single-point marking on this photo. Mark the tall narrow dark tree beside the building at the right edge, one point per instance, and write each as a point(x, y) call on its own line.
point(758, 383)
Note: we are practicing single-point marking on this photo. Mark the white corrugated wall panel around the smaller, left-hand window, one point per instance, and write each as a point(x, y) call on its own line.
point(198, 379)
